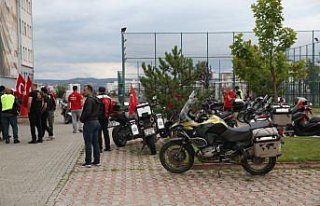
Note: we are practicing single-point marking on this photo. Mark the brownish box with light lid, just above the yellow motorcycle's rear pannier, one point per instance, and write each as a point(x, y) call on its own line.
point(281, 115)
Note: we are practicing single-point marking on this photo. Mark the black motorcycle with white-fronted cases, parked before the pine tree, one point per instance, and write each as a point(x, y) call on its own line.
point(145, 124)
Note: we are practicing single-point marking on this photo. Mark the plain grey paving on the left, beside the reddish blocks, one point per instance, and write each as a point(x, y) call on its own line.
point(31, 174)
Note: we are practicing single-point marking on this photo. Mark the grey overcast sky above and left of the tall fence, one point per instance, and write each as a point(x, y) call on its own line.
point(81, 38)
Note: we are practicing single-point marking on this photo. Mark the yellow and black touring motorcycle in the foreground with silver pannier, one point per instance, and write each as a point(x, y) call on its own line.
point(255, 147)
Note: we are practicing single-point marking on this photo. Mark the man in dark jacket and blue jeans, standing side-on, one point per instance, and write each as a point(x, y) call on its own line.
point(89, 117)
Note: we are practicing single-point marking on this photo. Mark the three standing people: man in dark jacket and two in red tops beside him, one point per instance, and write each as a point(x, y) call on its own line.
point(93, 113)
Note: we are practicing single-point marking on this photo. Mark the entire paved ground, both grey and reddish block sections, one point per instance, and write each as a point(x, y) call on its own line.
point(44, 174)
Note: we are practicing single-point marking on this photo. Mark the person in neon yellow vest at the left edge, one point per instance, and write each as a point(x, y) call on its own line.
point(10, 111)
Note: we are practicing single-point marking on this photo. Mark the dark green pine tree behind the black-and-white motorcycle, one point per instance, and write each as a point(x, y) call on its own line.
point(173, 80)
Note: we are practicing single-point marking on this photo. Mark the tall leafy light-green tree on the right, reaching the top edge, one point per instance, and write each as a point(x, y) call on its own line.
point(265, 66)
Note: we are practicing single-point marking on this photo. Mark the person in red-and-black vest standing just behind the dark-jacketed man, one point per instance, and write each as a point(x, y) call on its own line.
point(105, 111)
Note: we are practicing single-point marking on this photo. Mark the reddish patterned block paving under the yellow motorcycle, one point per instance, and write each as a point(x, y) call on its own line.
point(128, 178)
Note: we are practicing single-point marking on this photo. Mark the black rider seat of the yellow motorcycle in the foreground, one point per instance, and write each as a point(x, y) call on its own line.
point(237, 134)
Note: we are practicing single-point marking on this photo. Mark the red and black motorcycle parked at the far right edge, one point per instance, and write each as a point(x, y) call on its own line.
point(302, 124)
